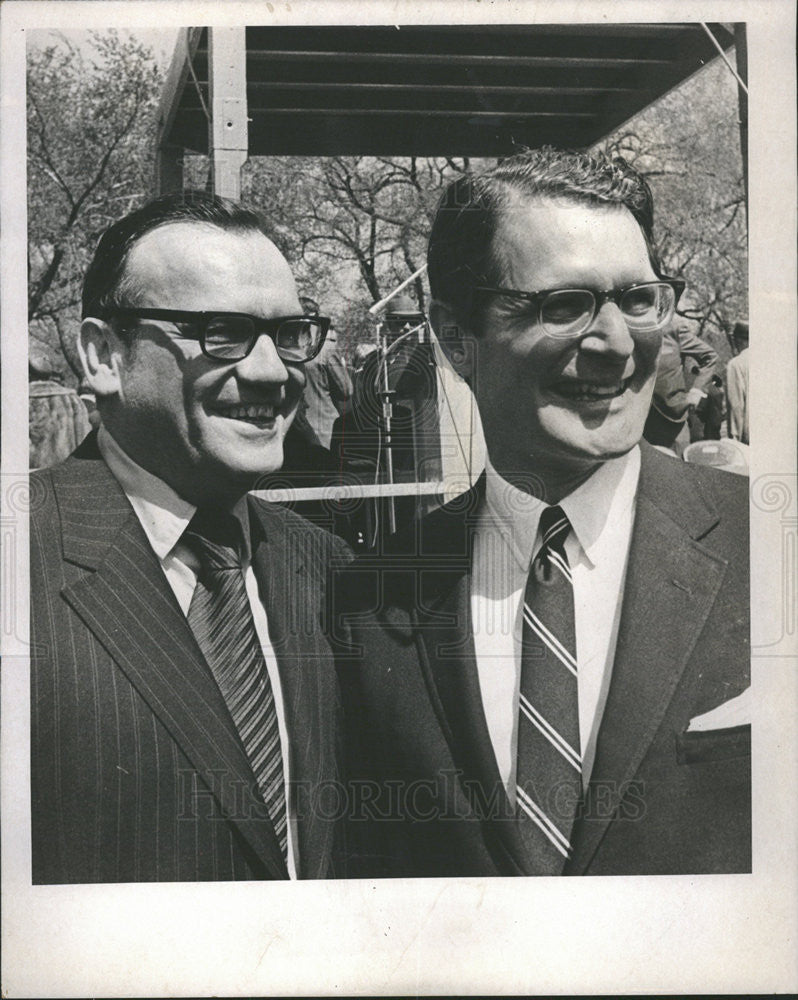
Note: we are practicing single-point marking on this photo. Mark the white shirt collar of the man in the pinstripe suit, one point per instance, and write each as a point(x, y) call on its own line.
point(164, 515)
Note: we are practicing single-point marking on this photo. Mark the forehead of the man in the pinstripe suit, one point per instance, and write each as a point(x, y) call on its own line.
point(193, 265)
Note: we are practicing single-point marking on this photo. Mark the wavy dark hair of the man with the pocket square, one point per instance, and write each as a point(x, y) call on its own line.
point(461, 251)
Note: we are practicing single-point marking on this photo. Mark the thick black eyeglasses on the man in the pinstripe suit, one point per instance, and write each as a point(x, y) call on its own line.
point(231, 336)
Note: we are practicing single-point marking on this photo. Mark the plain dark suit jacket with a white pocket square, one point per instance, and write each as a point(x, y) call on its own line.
point(428, 798)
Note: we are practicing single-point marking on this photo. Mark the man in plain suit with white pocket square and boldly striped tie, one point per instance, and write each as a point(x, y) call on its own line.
point(550, 674)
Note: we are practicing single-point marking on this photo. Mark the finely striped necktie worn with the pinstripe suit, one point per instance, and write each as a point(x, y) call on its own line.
point(221, 620)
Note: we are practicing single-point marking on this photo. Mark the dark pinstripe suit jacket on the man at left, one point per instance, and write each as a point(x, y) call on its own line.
point(138, 773)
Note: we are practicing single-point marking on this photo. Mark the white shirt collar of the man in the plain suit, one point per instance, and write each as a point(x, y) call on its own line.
point(590, 508)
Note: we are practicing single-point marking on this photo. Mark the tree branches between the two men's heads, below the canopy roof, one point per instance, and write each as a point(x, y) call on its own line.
point(354, 227)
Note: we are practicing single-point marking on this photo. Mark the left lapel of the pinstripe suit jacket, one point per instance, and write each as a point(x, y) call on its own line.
point(128, 605)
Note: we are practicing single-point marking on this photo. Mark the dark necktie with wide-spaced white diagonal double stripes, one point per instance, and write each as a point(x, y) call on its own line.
point(549, 778)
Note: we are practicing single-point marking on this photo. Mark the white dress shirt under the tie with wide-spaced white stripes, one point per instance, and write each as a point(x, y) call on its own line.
point(601, 512)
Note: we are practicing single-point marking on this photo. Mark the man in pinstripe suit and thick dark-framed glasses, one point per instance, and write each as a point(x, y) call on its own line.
point(183, 694)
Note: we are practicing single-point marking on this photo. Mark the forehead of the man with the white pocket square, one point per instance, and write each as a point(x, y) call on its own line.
point(554, 242)
